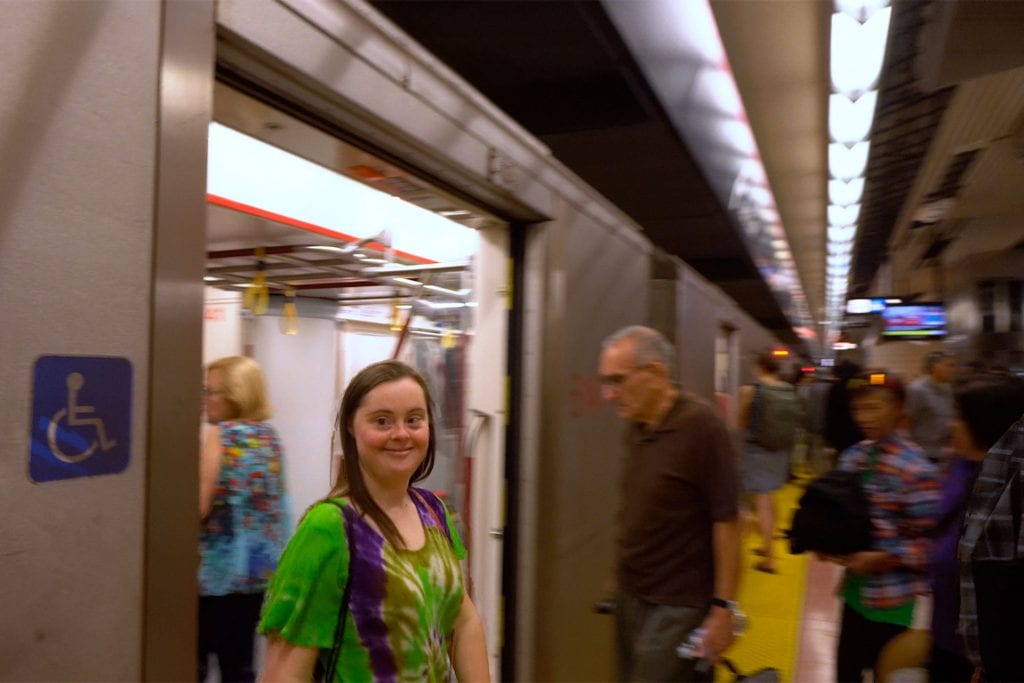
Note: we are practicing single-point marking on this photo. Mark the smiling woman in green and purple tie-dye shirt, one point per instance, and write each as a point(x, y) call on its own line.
point(378, 551)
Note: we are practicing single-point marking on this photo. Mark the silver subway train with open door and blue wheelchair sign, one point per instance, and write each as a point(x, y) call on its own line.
point(303, 183)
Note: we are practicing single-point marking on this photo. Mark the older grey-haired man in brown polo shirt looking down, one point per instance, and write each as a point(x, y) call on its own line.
point(678, 541)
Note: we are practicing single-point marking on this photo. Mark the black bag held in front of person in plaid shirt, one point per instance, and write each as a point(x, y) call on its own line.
point(832, 517)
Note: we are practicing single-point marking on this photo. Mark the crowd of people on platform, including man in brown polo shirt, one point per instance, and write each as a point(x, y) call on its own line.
point(915, 451)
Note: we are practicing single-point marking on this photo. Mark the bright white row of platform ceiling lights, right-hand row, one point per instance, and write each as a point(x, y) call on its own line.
point(860, 34)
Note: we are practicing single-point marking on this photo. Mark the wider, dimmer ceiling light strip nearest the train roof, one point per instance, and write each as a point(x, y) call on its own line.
point(707, 108)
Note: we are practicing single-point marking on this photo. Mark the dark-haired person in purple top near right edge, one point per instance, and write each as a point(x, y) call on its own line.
point(986, 406)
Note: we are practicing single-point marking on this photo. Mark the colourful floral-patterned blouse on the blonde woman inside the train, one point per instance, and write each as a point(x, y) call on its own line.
point(243, 537)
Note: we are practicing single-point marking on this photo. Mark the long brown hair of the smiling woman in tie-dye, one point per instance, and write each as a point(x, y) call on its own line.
point(350, 482)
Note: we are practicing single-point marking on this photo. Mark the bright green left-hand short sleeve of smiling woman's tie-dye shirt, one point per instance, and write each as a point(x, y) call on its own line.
point(305, 597)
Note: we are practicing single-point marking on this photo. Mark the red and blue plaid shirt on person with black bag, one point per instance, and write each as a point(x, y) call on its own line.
point(904, 491)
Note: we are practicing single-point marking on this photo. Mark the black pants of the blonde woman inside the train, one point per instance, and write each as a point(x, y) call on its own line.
point(228, 629)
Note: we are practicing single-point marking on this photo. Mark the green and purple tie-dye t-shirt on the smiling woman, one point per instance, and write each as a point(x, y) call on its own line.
point(402, 605)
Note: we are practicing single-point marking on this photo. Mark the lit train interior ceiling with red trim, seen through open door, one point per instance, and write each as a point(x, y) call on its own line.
point(357, 208)
